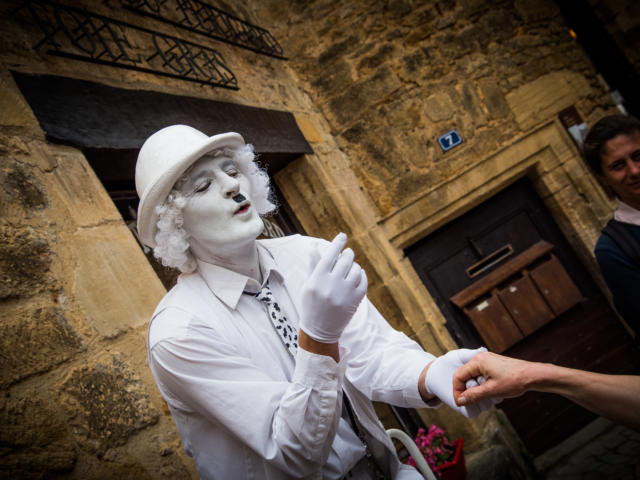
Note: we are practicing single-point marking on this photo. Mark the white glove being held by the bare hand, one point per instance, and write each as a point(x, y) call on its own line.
point(439, 380)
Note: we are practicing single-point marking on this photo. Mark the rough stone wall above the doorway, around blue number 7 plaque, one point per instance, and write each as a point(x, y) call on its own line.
point(411, 71)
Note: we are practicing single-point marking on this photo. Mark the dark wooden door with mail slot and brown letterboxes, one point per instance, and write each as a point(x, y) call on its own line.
point(507, 246)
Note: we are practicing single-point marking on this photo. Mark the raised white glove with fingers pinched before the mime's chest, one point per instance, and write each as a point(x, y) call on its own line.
point(332, 293)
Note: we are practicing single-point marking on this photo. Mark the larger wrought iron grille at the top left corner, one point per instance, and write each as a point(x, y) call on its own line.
point(77, 34)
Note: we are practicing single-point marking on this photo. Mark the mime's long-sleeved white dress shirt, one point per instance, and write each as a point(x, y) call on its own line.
point(244, 408)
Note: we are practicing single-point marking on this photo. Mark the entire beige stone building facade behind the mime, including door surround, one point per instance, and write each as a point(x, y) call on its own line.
point(371, 86)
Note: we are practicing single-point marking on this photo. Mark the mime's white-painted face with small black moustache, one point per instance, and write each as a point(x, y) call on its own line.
point(218, 220)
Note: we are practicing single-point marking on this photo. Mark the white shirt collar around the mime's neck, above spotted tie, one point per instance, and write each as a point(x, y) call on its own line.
point(228, 285)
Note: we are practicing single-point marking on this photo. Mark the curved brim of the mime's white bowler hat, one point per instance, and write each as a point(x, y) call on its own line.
point(158, 191)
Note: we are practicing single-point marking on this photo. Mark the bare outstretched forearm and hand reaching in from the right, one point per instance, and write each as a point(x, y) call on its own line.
point(616, 397)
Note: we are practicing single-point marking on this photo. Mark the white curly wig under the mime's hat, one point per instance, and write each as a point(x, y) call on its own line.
point(172, 241)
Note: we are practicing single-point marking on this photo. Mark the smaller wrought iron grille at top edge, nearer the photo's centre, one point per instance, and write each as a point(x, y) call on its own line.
point(199, 17)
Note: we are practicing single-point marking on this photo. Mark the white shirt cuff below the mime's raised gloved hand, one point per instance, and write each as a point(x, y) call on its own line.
point(318, 371)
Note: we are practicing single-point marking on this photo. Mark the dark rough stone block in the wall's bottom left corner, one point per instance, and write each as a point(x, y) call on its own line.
point(35, 440)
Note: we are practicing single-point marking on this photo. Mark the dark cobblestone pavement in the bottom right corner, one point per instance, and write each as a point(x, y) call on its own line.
point(602, 450)
